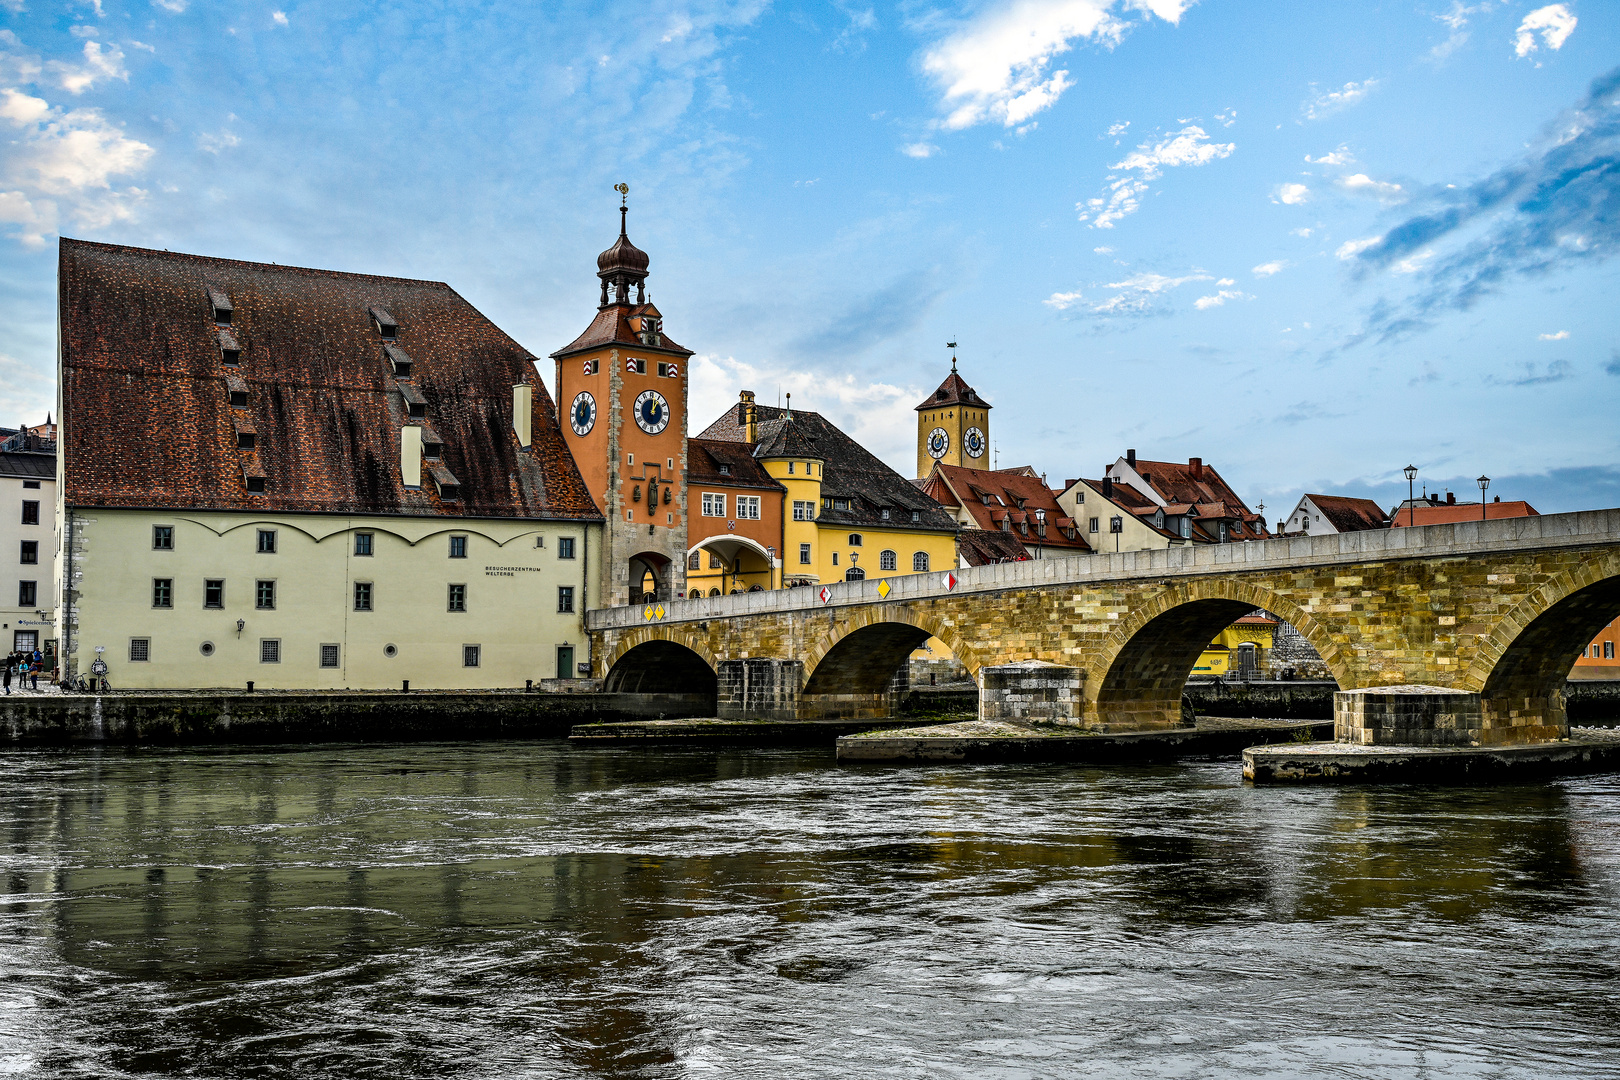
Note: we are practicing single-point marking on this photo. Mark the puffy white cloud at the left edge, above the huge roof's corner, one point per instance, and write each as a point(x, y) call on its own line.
point(62, 164)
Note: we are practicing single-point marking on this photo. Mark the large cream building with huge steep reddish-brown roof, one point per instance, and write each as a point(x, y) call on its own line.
point(302, 478)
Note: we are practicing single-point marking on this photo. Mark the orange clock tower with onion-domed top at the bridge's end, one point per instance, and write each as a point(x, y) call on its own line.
point(623, 396)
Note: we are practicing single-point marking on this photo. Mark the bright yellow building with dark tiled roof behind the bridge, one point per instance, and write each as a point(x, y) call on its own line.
point(846, 516)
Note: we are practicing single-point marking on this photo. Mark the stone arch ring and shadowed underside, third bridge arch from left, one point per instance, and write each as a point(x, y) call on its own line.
point(1151, 653)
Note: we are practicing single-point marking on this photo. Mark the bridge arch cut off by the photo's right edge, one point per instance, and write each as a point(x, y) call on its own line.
point(1528, 655)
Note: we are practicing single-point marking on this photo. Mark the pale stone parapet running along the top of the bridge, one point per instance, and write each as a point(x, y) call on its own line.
point(1430, 542)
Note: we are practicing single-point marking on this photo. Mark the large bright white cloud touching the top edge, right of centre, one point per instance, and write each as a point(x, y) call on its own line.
point(997, 69)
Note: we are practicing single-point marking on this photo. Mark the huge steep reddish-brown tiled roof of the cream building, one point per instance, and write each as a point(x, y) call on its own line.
point(148, 419)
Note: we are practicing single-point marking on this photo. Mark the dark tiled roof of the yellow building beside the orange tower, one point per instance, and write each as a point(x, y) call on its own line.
point(850, 472)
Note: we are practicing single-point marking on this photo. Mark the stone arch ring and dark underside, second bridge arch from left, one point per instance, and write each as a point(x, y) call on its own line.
point(868, 645)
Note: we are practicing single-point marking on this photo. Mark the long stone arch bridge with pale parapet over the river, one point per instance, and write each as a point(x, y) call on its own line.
point(1494, 608)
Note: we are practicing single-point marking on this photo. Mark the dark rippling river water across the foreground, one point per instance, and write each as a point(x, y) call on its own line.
point(542, 911)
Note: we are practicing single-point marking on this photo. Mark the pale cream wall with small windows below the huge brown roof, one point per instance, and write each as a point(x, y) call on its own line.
point(428, 597)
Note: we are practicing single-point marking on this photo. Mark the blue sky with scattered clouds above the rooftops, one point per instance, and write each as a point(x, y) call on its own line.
point(1308, 244)
